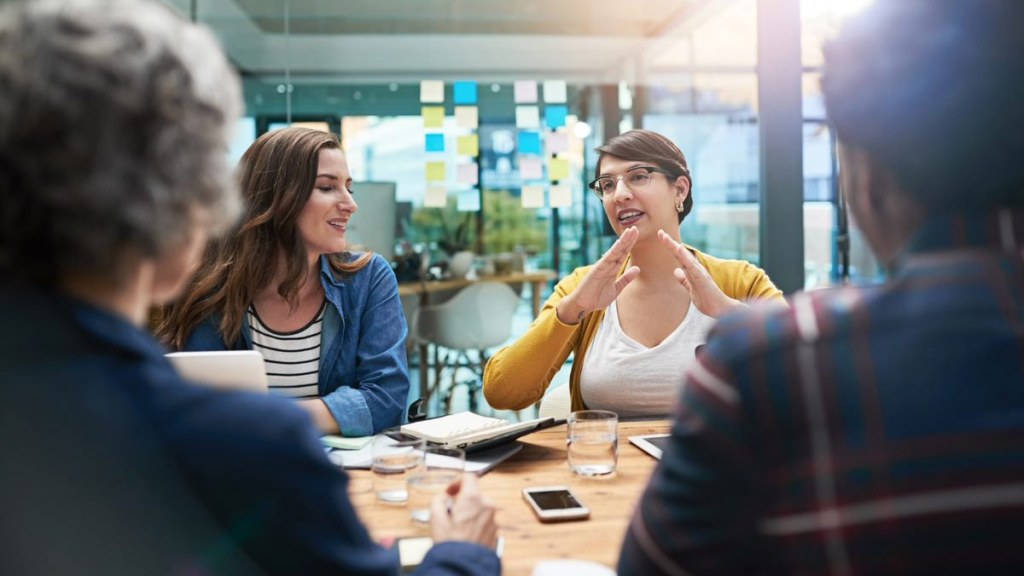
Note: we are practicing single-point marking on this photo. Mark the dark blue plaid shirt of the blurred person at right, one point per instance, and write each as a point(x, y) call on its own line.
point(874, 431)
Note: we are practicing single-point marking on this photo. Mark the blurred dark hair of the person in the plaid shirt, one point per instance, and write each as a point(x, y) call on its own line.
point(931, 91)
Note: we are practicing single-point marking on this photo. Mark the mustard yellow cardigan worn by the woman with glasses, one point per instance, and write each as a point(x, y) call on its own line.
point(519, 375)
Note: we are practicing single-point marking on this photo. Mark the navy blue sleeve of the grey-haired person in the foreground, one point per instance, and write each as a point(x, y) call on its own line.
point(259, 465)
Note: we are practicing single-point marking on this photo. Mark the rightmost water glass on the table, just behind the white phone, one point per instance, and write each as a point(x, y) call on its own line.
point(593, 442)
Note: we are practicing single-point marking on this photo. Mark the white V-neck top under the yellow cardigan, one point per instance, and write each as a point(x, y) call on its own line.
point(633, 381)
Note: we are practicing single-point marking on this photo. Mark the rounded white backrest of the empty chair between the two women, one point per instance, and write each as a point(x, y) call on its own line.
point(479, 317)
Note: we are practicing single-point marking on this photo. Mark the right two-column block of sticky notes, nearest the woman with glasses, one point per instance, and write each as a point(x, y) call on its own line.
point(543, 143)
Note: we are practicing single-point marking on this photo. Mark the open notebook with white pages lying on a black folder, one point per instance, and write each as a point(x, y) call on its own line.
point(467, 430)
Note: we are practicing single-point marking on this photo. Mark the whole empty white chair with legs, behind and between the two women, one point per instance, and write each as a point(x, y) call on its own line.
point(478, 318)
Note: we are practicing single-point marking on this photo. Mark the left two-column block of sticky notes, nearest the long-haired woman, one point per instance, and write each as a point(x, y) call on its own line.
point(441, 141)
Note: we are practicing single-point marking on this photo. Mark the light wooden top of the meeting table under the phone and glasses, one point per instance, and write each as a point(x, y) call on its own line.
point(542, 463)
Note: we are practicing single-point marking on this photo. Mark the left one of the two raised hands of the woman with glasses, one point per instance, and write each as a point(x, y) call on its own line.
point(603, 284)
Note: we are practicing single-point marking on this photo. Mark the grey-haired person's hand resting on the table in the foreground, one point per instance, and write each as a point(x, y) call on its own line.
point(472, 518)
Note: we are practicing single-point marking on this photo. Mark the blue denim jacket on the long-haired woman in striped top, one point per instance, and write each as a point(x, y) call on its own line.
point(364, 374)
